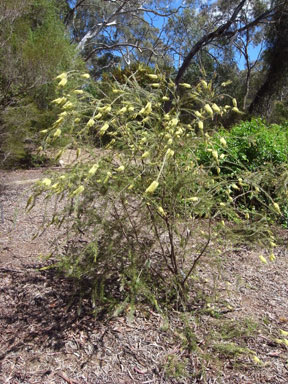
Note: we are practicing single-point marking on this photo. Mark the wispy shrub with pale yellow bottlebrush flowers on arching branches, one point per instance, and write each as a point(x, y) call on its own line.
point(140, 216)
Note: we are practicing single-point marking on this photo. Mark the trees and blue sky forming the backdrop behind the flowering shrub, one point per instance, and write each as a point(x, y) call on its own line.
point(186, 40)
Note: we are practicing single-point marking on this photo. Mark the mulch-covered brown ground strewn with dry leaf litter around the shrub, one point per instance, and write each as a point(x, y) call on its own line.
point(43, 338)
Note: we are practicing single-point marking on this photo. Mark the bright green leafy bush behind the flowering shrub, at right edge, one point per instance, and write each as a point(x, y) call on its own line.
point(256, 152)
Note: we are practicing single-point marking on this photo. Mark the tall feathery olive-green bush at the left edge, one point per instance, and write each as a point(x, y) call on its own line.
point(33, 49)
